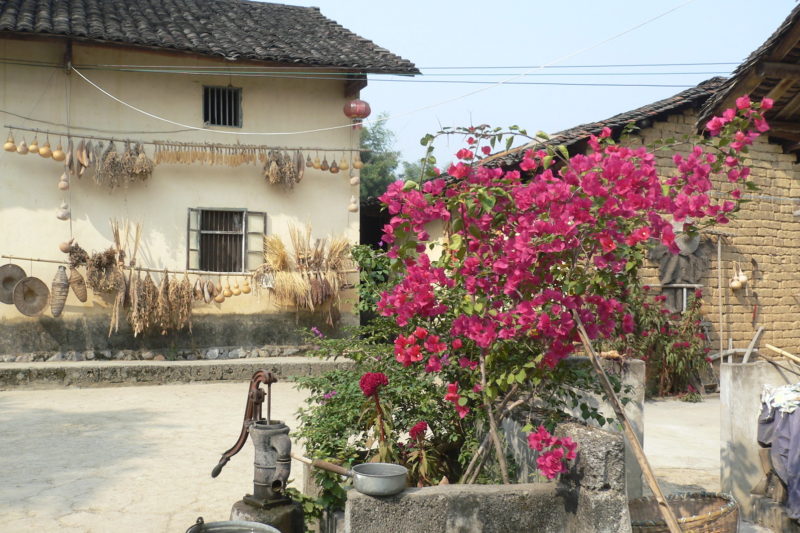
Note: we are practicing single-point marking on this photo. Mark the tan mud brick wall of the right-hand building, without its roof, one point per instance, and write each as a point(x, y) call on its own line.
point(765, 243)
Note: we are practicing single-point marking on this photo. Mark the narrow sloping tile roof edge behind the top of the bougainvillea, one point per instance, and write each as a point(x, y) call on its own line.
point(692, 97)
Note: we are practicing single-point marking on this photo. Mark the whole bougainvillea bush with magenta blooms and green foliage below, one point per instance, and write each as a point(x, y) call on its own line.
point(492, 309)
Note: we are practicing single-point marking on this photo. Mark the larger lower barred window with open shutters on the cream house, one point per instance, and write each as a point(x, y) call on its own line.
point(225, 240)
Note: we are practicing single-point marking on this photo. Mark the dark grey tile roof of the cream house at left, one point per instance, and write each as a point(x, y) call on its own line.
point(233, 29)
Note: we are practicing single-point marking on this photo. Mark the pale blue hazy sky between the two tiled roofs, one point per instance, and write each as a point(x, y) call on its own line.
point(520, 33)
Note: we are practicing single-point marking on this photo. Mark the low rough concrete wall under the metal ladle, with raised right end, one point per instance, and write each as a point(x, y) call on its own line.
point(590, 497)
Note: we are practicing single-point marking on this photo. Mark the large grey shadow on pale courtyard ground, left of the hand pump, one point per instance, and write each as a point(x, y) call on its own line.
point(58, 459)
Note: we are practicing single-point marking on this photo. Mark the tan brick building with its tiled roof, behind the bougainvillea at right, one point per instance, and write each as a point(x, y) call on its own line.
point(764, 239)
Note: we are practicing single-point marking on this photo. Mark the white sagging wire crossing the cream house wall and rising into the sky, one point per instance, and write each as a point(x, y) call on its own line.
point(388, 117)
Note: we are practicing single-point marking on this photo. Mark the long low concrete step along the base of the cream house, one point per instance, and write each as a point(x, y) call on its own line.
point(55, 375)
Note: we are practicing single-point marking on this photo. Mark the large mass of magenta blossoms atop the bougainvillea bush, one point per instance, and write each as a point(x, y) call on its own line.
point(525, 257)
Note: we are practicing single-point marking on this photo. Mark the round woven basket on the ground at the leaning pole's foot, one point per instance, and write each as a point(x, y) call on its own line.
point(698, 512)
